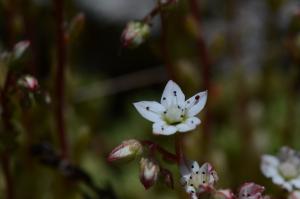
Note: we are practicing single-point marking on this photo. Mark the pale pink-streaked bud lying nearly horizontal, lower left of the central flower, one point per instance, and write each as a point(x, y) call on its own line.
point(126, 150)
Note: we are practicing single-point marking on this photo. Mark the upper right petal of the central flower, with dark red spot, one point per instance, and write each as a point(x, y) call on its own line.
point(196, 103)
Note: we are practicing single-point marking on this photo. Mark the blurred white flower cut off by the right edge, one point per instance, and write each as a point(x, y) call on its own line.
point(284, 169)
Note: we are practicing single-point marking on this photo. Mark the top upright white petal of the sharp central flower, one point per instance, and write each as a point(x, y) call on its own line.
point(172, 95)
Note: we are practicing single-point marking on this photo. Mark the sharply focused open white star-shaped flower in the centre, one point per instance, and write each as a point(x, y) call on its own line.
point(173, 113)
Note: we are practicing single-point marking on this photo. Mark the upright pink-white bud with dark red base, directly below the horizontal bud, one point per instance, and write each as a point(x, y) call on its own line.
point(149, 171)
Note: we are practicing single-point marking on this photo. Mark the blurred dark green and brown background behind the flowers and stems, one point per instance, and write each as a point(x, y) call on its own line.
point(254, 79)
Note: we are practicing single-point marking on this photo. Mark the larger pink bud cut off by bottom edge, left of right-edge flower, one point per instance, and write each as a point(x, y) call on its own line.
point(251, 191)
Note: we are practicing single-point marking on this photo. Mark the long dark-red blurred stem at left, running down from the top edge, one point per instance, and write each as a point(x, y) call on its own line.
point(60, 77)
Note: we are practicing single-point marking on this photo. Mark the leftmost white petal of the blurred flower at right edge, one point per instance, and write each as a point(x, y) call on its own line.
point(269, 165)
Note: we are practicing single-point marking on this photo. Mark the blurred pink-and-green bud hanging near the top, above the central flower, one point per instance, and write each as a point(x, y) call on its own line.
point(135, 33)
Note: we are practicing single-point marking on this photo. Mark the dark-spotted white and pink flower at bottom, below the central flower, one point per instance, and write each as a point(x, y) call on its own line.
point(196, 179)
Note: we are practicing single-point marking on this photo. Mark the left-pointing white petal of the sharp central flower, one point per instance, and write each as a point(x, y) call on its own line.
point(150, 110)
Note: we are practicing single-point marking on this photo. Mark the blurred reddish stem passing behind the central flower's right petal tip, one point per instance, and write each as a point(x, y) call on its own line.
point(206, 63)
